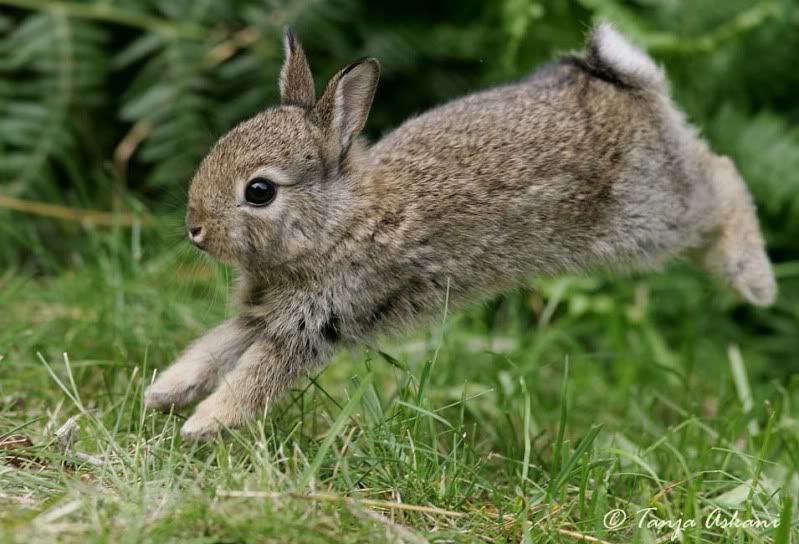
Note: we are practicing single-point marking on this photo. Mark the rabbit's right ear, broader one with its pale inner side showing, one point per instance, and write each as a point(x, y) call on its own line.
point(345, 104)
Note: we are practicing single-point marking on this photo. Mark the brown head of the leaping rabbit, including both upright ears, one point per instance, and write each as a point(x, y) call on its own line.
point(275, 188)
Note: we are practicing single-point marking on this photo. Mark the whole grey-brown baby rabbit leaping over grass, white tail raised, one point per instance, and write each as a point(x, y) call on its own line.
point(585, 164)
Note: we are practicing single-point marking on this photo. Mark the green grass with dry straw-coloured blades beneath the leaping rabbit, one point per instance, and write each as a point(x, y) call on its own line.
point(544, 416)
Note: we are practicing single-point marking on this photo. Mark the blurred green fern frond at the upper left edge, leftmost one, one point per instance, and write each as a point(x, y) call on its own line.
point(60, 67)
